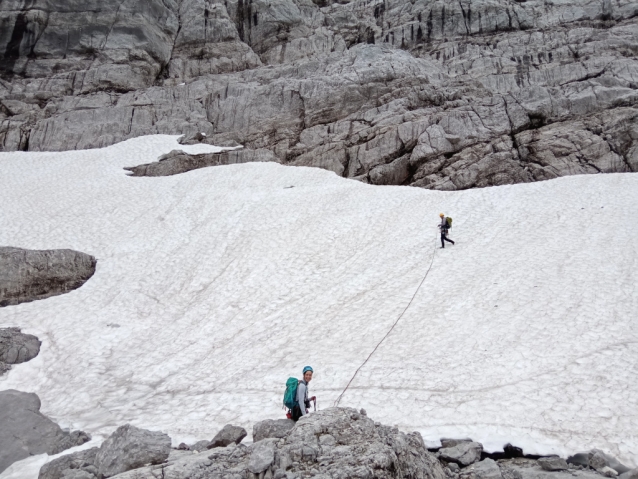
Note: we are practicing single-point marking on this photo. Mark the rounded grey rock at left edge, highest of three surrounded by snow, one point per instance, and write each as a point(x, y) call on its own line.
point(27, 275)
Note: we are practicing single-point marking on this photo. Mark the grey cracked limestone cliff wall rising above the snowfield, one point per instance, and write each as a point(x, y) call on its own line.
point(434, 93)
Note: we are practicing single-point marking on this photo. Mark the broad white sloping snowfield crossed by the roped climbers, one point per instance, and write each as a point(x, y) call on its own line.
point(214, 286)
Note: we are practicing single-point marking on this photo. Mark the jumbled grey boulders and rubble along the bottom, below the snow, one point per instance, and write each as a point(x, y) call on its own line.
point(335, 443)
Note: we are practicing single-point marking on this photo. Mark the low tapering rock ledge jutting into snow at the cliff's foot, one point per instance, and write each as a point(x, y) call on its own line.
point(178, 161)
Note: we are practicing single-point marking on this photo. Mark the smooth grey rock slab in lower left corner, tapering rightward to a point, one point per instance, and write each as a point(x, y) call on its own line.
point(24, 431)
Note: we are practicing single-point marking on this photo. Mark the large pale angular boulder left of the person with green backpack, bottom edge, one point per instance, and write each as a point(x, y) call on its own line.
point(130, 448)
